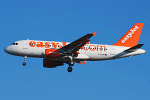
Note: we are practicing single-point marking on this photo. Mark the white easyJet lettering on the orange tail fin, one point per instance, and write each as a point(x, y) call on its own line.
point(130, 34)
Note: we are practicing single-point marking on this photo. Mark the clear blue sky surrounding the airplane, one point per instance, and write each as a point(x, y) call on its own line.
point(67, 20)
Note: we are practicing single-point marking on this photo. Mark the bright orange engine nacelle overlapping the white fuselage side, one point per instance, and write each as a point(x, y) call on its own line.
point(52, 53)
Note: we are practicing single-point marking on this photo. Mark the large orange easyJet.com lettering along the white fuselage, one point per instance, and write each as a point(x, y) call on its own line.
point(57, 45)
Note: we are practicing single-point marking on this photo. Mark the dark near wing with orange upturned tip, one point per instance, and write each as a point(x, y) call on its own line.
point(74, 46)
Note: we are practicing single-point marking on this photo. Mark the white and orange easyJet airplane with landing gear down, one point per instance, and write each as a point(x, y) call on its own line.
point(79, 51)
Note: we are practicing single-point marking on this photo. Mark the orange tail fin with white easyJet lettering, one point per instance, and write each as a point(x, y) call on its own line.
point(131, 38)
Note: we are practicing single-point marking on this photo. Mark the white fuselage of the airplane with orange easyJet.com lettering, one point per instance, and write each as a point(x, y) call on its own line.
point(90, 52)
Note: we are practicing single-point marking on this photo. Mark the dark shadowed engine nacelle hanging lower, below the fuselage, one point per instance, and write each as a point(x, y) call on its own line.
point(48, 63)
